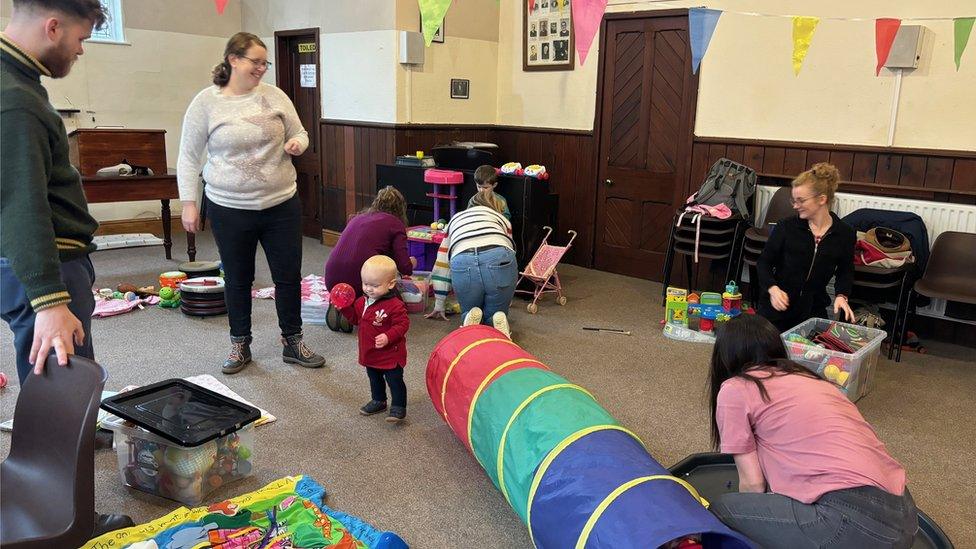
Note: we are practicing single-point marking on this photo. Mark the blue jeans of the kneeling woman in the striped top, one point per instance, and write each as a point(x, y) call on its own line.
point(484, 279)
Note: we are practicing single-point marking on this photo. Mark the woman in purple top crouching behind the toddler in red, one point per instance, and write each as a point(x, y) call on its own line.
point(380, 229)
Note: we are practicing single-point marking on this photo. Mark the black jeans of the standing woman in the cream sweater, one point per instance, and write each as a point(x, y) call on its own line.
point(279, 230)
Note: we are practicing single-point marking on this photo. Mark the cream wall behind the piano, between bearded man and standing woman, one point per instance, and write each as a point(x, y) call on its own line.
point(145, 84)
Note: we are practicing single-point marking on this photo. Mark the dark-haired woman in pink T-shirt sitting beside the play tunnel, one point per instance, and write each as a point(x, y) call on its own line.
point(812, 471)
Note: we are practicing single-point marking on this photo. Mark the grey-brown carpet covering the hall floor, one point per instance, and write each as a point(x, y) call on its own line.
point(417, 479)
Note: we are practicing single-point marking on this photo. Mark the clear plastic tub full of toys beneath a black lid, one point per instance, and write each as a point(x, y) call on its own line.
point(188, 475)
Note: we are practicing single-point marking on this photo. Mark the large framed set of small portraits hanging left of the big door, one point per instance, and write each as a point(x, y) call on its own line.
point(547, 36)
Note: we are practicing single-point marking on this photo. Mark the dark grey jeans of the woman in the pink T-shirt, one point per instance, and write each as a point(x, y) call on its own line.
point(857, 518)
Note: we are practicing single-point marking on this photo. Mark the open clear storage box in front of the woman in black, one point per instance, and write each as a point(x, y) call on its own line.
point(852, 372)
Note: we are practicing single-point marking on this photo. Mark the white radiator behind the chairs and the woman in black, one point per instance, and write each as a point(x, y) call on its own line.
point(938, 217)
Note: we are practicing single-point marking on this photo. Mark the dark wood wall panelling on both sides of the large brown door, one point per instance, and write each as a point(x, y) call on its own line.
point(351, 151)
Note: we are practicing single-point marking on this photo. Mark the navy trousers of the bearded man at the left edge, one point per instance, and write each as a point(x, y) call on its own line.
point(79, 277)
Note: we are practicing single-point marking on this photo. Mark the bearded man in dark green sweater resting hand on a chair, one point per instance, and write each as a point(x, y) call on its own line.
point(45, 228)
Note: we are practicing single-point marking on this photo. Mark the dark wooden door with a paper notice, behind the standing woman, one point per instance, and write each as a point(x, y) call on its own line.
point(297, 52)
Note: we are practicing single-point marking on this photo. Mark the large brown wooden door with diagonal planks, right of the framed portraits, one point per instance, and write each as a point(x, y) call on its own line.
point(645, 127)
